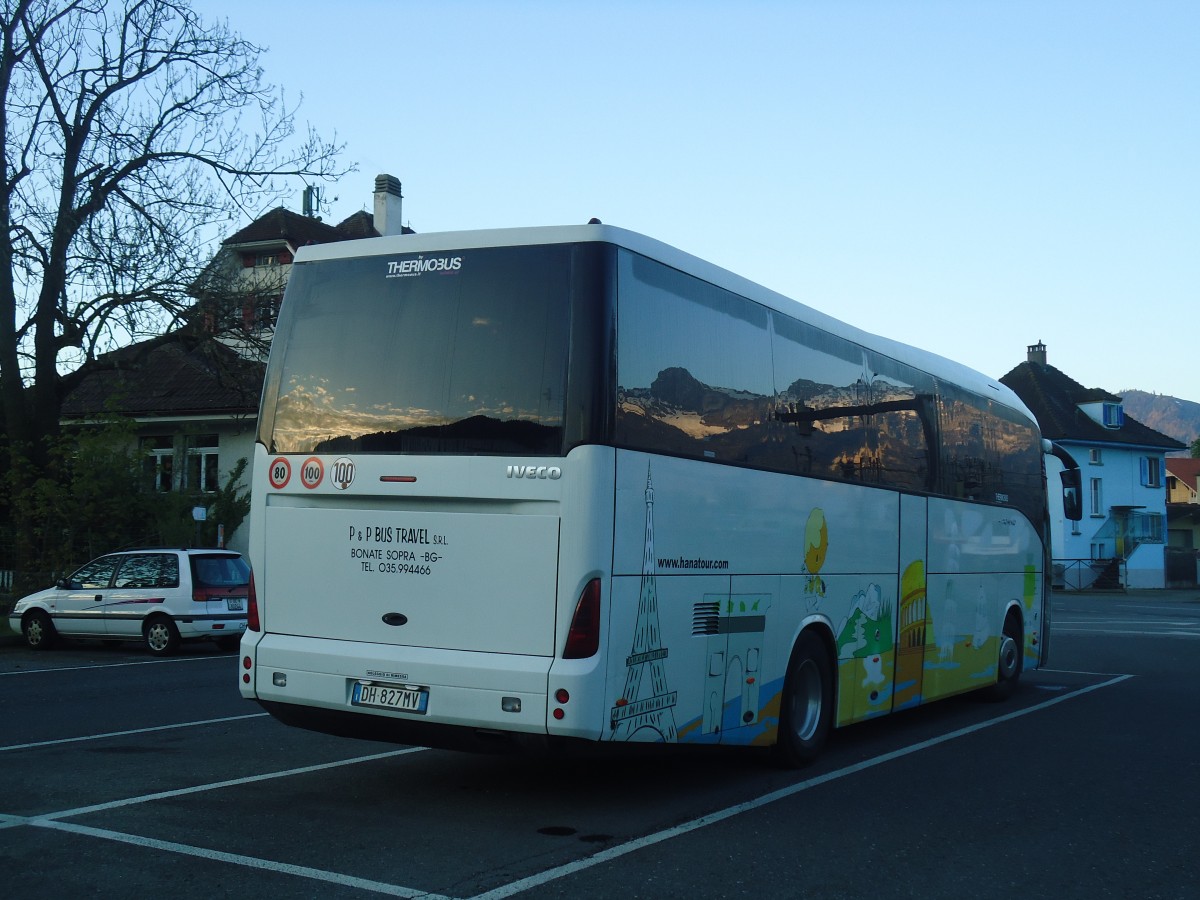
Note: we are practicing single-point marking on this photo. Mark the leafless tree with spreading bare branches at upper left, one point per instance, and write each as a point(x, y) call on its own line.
point(131, 133)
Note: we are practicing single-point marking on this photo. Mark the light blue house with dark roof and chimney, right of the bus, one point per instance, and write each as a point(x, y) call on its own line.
point(1121, 539)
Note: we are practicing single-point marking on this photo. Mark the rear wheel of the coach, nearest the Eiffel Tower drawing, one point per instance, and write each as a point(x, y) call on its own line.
point(806, 711)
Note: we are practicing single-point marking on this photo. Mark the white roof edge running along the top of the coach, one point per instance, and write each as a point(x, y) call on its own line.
point(405, 244)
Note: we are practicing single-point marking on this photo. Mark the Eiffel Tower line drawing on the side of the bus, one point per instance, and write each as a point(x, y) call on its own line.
point(646, 703)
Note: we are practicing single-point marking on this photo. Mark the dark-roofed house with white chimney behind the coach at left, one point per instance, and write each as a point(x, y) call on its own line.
point(194, 394)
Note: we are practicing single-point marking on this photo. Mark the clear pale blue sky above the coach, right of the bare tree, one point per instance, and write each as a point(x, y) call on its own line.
point(967, 176)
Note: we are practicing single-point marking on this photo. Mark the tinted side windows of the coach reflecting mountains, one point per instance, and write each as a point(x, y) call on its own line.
point(710, 375)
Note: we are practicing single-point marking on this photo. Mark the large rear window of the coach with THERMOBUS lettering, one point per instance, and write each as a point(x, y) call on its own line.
point(459, 353)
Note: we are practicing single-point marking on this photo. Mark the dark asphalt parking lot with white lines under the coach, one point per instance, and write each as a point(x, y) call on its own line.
point(128, 775)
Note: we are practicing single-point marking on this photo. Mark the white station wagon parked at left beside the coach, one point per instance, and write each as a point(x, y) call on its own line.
point(160, 597)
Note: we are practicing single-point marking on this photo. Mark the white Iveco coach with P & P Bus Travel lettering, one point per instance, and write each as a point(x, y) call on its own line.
point(569, 485)
